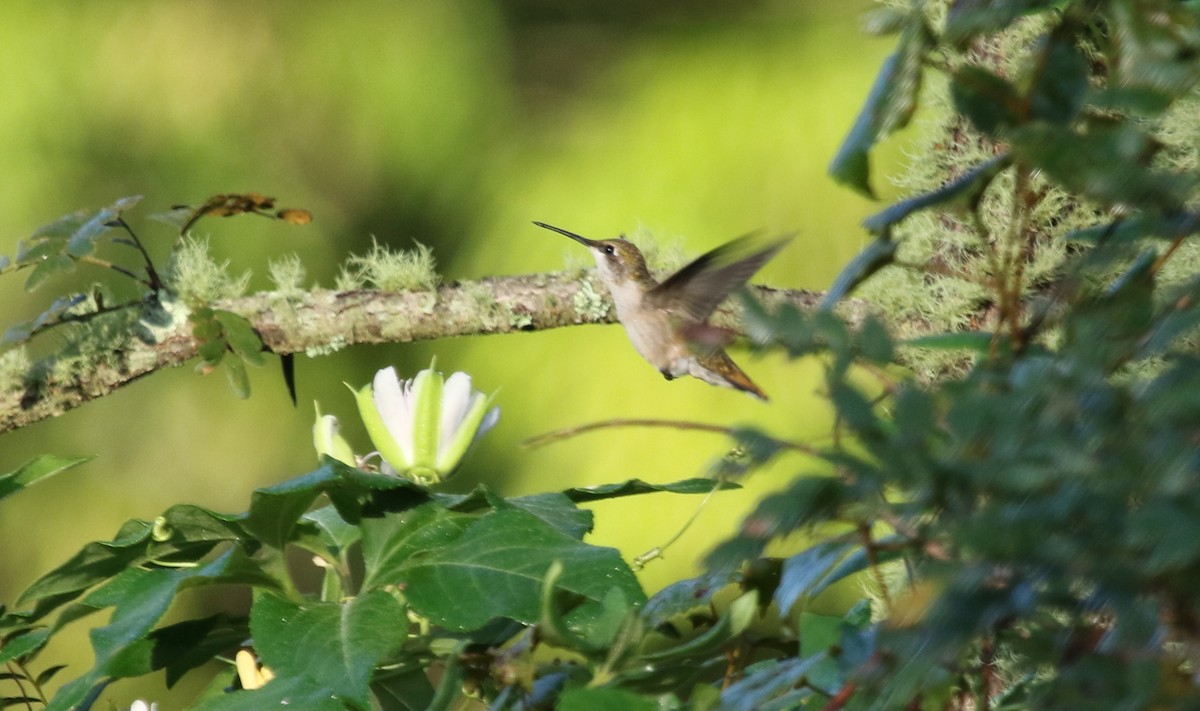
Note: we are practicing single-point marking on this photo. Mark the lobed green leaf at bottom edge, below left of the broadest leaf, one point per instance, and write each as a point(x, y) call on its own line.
point(335, 646)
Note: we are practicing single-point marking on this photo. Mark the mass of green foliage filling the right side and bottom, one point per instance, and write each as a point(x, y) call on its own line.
point(1030, 527)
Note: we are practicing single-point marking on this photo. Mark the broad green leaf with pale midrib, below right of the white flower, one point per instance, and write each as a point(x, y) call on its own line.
point(496, 569)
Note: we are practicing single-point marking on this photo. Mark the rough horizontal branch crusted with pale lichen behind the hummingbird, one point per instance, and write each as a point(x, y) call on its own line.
point(326, 321)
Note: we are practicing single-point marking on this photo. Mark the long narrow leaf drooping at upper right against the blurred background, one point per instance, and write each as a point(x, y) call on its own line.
point(890, 106)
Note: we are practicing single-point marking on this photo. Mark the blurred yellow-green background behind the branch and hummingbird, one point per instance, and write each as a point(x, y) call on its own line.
point(454, 123)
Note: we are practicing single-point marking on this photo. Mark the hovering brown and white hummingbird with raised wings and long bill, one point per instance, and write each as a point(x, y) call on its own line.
point(669, 322)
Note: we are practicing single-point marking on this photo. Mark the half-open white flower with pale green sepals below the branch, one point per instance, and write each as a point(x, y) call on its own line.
point(424, 427)
